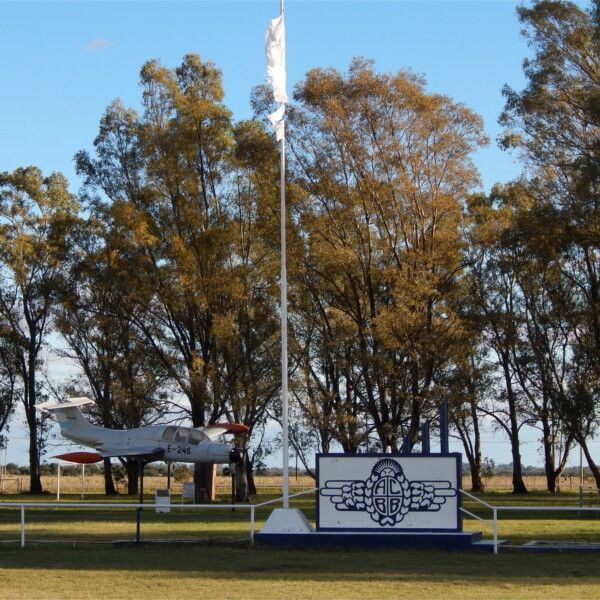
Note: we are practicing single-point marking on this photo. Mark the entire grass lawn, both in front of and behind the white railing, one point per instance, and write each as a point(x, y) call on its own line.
point(226, 566)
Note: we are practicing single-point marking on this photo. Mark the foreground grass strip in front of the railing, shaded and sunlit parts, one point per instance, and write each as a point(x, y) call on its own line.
point(59, 571)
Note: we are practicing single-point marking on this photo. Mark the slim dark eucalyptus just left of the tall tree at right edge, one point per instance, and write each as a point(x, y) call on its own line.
point(542, 360)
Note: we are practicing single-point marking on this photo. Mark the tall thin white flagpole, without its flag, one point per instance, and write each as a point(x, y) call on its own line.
point(284, 319)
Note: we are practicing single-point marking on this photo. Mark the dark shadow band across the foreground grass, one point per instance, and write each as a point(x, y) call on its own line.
point(260, 563)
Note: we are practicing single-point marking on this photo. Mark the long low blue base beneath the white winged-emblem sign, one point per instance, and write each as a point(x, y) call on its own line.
point(459, 541)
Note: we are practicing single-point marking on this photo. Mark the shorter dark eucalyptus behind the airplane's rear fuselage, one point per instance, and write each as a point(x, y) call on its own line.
point(125, 379)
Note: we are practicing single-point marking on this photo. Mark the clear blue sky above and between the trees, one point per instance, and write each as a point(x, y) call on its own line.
point(64, 62)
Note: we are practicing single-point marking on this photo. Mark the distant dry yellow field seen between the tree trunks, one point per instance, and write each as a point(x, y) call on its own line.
point(94, 484)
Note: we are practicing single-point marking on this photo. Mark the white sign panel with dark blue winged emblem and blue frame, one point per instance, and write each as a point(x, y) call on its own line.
point(385, 492)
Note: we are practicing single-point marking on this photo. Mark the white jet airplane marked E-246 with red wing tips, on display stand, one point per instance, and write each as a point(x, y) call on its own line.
point(153, 442)
